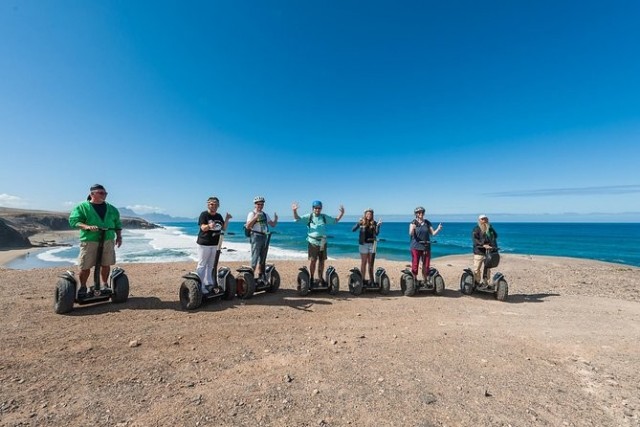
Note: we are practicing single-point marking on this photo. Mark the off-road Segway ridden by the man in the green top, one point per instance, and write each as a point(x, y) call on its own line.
point(117, 290)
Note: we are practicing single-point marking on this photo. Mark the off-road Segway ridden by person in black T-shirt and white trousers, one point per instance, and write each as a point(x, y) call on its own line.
point(191, 296)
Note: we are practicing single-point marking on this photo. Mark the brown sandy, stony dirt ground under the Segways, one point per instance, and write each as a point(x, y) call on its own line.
point(561, 351)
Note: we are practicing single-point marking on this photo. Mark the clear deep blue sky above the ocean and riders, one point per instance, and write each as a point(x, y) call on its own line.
point(460, 106)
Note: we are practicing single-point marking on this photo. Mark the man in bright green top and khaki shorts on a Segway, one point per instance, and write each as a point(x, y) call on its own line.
point(90, 216)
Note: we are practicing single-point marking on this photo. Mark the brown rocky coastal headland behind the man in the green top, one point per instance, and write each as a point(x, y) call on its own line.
point(17, 225)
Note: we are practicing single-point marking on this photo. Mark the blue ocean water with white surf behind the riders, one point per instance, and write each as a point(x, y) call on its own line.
point(613, 242)
